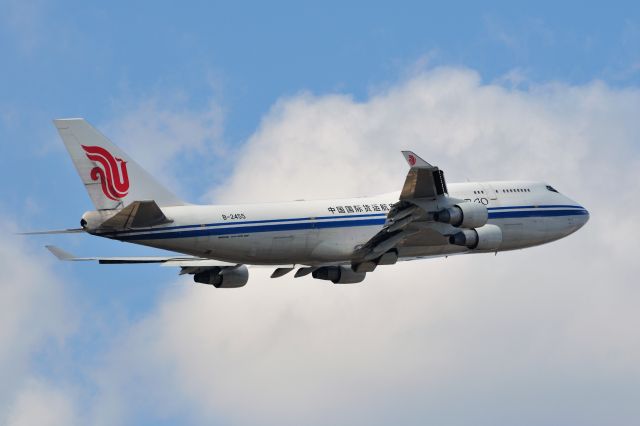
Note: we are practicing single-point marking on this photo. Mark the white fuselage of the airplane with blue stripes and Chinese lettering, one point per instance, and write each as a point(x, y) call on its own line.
point(328, 231)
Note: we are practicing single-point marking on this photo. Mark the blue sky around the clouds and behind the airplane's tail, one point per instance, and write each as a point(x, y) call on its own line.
point(109, 62)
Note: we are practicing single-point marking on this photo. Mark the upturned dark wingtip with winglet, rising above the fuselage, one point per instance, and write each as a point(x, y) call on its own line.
point(423, 179)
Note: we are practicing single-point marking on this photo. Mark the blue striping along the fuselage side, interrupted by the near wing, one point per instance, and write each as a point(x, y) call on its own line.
point(321, 223)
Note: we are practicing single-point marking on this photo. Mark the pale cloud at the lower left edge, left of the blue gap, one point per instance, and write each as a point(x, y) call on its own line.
point(36, 317)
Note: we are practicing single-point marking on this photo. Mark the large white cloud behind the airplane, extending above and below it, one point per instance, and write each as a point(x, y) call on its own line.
point(540, 336)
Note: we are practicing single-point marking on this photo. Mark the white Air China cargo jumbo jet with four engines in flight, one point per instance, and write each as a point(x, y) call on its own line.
point(339, 240)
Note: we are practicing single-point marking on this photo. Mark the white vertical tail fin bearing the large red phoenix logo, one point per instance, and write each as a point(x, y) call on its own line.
point(112, 178)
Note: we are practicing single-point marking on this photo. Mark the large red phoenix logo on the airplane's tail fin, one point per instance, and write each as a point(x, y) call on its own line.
point(111, 171)
